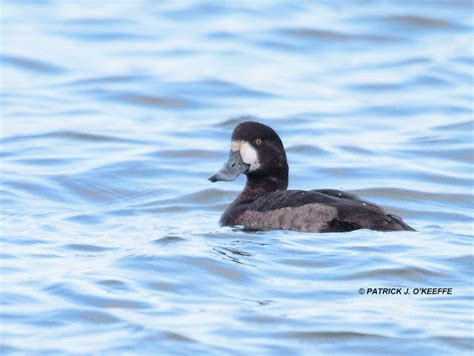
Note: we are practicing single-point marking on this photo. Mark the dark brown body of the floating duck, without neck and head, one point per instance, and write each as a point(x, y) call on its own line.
point(325, 210)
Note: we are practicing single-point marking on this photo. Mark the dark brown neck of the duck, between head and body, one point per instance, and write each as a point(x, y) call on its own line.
point(261, 184)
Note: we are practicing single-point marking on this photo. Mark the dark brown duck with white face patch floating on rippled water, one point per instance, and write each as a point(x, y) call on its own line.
point(265, 204)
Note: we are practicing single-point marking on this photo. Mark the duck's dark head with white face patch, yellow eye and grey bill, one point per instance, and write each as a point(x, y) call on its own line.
point(256, 151)
